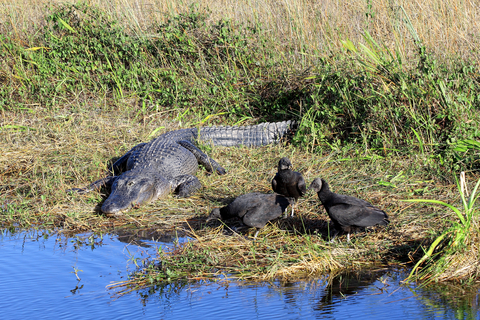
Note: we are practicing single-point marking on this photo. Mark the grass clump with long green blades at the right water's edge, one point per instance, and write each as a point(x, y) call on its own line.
point(454, 254)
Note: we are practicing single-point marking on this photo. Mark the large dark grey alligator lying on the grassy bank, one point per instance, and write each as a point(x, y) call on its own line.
point(152, 170)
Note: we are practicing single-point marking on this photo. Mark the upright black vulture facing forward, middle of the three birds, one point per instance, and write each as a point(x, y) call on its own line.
point(288, 182)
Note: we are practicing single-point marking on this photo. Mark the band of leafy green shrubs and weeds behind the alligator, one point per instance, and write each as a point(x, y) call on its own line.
point(366, 95)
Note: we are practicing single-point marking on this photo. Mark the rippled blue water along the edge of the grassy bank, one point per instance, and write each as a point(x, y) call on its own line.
point(38, 280)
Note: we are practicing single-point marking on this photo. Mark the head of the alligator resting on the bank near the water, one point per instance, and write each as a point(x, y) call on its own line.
point(133, 188)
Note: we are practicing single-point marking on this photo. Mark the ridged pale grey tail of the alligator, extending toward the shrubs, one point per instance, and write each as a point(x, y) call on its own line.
point(249, 136)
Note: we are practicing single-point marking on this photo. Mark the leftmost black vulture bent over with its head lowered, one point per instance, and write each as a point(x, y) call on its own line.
point(255, 209)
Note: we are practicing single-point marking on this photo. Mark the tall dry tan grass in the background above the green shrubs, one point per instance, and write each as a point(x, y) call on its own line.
point(302, 29)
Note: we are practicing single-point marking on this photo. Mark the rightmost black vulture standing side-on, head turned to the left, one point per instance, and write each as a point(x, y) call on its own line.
point(347, 212)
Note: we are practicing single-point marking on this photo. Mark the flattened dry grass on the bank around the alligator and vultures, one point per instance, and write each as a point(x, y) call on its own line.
point(61, 150)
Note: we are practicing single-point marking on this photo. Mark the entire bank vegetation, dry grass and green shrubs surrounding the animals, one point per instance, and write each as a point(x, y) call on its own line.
point(387, 102)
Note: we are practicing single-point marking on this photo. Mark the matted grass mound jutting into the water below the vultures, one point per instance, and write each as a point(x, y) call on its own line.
point(218, 256)
